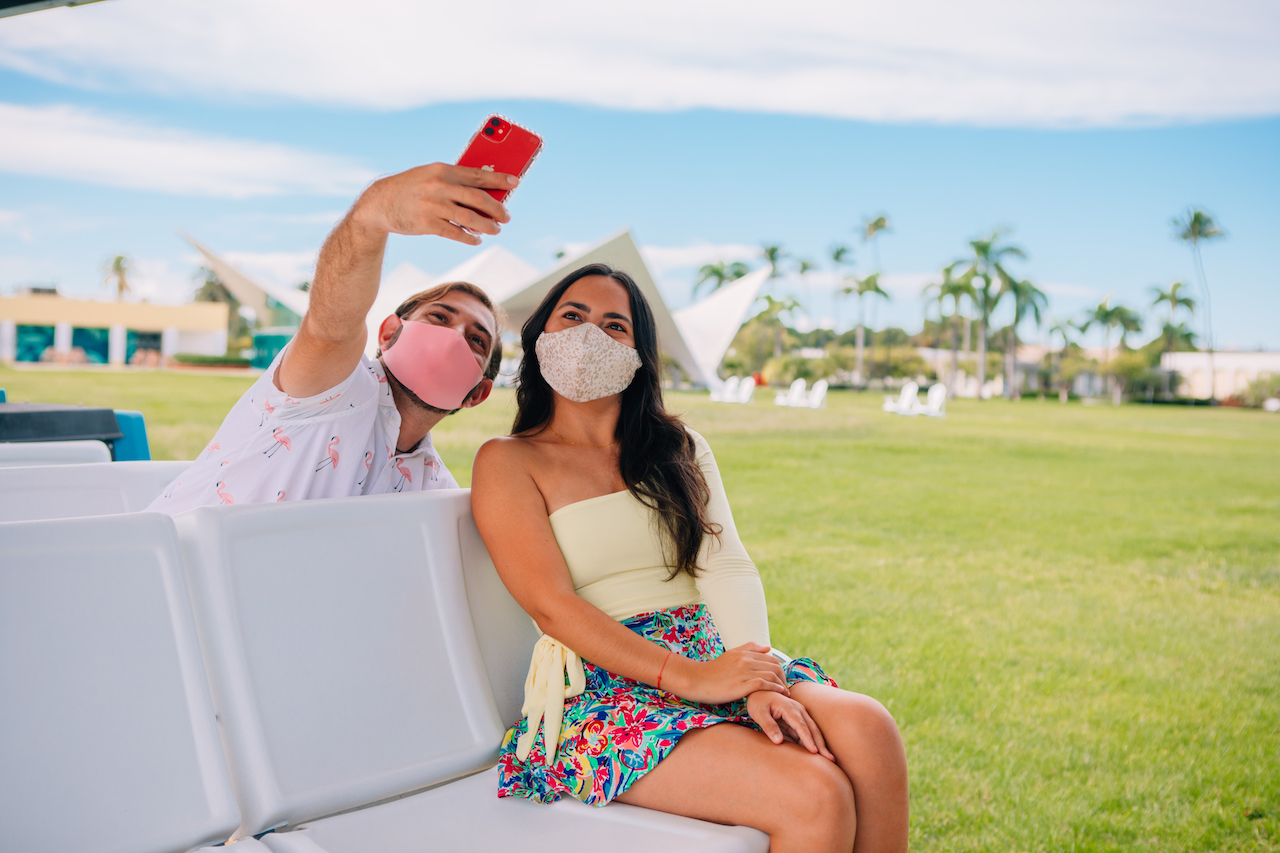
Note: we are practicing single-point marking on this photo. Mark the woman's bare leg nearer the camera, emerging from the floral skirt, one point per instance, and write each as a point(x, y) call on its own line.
point(730, 774)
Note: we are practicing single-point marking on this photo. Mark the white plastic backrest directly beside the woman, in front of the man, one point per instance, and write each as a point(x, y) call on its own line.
point(341, 649)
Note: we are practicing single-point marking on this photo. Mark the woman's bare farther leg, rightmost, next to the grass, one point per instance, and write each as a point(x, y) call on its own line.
point(868, 747)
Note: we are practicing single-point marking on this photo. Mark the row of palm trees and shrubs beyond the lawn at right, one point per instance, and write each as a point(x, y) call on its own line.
point(959, 307)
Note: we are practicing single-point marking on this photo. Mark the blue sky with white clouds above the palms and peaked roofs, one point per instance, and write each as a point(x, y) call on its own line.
point(1086, 163)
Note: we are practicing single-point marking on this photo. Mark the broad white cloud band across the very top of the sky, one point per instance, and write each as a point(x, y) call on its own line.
point(999, 62)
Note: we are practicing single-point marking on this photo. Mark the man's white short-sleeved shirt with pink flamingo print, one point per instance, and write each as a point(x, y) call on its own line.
point(337, 444)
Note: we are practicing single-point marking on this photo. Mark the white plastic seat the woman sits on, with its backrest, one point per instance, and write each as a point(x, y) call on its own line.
point(362, 650)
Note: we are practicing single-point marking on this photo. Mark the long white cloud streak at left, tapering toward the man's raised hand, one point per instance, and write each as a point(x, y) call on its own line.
point(81, 145)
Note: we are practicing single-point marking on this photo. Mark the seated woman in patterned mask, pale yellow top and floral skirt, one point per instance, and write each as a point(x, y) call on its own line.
point(607, 521)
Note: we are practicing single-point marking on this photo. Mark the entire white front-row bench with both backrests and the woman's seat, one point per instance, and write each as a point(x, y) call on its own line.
point(363, 659)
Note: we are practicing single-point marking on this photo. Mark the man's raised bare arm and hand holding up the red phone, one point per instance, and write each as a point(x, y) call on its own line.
point(429, 200)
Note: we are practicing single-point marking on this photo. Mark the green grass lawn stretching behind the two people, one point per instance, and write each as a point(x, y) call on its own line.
point(1073, 613)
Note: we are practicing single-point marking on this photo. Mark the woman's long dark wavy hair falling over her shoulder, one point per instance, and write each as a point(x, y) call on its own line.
point(656, 453)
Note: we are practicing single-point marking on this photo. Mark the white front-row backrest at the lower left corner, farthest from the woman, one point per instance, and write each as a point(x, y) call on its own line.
point(108, 738)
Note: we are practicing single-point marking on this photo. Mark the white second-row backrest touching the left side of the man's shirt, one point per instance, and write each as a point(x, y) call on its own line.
point(76, 491)
